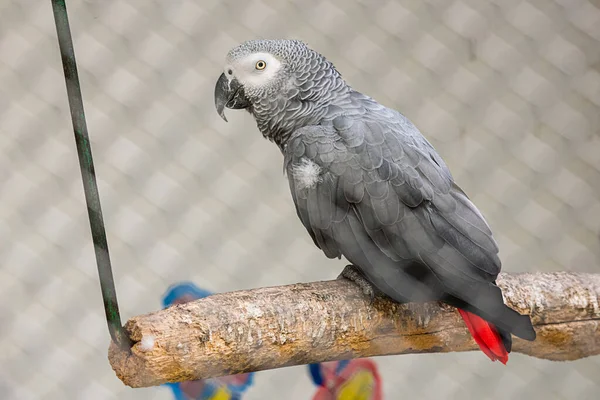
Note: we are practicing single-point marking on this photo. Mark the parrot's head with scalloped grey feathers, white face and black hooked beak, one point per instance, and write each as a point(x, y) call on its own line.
point(278, 81)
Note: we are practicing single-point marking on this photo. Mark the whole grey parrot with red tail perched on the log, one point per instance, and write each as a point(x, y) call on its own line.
point(368, 186)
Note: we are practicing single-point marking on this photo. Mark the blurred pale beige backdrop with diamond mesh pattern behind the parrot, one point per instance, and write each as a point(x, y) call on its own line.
point(507, 91)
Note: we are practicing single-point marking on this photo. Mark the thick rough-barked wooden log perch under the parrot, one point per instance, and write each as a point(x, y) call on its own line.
point(268, 328)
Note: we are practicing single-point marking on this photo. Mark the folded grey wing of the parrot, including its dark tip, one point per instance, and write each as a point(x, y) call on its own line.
point(371, 188)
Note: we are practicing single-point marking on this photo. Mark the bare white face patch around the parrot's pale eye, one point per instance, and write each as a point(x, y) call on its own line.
point(248, 70)
